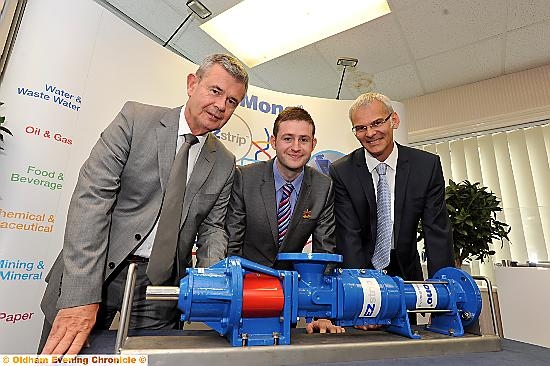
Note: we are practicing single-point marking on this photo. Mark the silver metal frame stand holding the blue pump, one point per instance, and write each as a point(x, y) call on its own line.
point(208, 347)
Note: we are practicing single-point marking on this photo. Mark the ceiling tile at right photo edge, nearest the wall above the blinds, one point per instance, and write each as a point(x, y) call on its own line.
point(528, 47)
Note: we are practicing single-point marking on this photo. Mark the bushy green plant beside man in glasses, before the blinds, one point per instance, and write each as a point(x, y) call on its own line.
point(473, 214)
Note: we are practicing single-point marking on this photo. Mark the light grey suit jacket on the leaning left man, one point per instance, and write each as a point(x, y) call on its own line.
point(118, 197)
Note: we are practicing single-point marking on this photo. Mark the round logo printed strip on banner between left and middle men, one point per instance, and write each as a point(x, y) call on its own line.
point(236, 136)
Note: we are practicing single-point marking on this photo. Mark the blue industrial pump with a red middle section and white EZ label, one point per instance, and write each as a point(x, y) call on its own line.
point(255, 305)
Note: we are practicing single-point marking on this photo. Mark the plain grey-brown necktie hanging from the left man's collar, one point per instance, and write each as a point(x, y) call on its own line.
point(161, 261)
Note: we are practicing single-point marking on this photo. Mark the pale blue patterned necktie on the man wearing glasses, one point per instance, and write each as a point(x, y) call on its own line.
point(381, 257)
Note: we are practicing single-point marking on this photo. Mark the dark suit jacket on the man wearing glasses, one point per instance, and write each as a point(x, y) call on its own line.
point(419, 194)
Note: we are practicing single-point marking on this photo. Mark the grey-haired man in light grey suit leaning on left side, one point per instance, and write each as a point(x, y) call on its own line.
point(114, 212)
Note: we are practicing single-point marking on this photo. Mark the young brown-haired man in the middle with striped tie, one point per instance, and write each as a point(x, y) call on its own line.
point(276, 205)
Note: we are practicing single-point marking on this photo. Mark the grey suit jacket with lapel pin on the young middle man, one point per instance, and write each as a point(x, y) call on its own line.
point(252, 215)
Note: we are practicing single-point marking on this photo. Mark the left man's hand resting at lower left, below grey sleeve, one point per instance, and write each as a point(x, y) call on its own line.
point(70, 330)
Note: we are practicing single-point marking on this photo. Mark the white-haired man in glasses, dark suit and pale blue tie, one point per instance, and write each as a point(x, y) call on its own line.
point(413, 190)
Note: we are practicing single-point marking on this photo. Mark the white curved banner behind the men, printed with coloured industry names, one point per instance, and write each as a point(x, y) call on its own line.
point(73, 66)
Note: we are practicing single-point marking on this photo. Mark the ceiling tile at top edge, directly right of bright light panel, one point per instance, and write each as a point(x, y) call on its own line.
point(437, 26)
